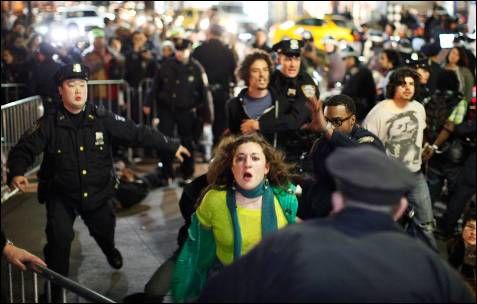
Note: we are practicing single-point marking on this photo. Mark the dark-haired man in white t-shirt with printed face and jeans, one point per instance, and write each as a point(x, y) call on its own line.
point(399, 122)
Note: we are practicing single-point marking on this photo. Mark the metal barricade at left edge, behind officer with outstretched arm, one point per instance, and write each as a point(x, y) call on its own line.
point(17, 118)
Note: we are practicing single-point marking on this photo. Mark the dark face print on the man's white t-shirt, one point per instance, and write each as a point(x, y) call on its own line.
point(401, 131)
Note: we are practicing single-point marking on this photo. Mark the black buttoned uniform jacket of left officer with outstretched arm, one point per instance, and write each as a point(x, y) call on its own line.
point(77, 160)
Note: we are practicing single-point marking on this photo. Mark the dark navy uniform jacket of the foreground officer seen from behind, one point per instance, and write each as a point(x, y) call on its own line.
point(354, 256)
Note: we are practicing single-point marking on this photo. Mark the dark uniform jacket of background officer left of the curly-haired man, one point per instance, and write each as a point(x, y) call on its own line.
point(181, 87)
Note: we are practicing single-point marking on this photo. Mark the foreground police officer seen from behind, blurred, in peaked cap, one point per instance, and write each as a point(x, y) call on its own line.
point(358, 255)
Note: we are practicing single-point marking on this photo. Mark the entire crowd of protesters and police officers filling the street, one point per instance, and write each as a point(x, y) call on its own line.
point(361, 157)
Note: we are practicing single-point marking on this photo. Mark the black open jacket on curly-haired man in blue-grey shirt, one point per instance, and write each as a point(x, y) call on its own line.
point(275, 122)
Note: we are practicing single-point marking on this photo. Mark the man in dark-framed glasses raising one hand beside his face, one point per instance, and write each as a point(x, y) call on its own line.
point(336, 120)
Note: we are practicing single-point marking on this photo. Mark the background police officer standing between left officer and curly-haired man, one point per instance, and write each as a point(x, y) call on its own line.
point(180, 90)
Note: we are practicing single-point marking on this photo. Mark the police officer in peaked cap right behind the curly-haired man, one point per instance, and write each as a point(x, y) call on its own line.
point(291, 82)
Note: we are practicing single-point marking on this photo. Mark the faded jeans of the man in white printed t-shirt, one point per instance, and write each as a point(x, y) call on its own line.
point(420, 200)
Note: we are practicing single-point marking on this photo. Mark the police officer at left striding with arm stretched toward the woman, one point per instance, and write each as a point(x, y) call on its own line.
point(76, 176)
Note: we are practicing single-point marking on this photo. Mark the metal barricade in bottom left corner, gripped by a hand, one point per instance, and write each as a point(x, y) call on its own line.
point(27, 295)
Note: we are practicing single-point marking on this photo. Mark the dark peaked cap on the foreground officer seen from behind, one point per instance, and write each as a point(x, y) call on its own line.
point(367, 175)
